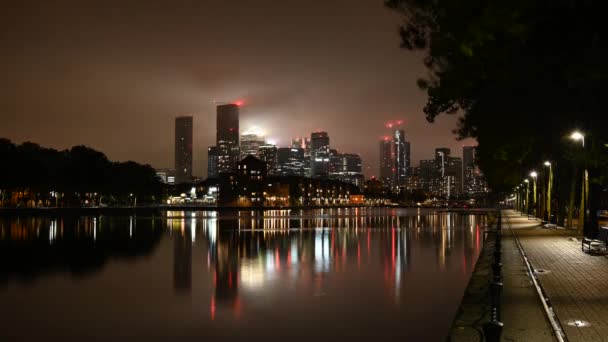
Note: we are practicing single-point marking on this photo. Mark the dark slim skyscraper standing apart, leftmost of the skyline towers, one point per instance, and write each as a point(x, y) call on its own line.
point(183, 149)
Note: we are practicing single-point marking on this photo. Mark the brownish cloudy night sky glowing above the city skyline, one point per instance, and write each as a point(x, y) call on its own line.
point(113, 75)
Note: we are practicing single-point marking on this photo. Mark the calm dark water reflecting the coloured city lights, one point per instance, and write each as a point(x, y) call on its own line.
point(354, 274)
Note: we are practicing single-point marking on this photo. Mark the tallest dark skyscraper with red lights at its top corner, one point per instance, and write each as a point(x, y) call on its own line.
point(227, 138)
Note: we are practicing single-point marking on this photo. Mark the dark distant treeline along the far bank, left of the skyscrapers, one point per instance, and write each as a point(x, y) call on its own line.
point(33, 175)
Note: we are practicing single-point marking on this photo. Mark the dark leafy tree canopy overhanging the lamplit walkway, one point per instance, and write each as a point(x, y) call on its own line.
point(521, 75)
